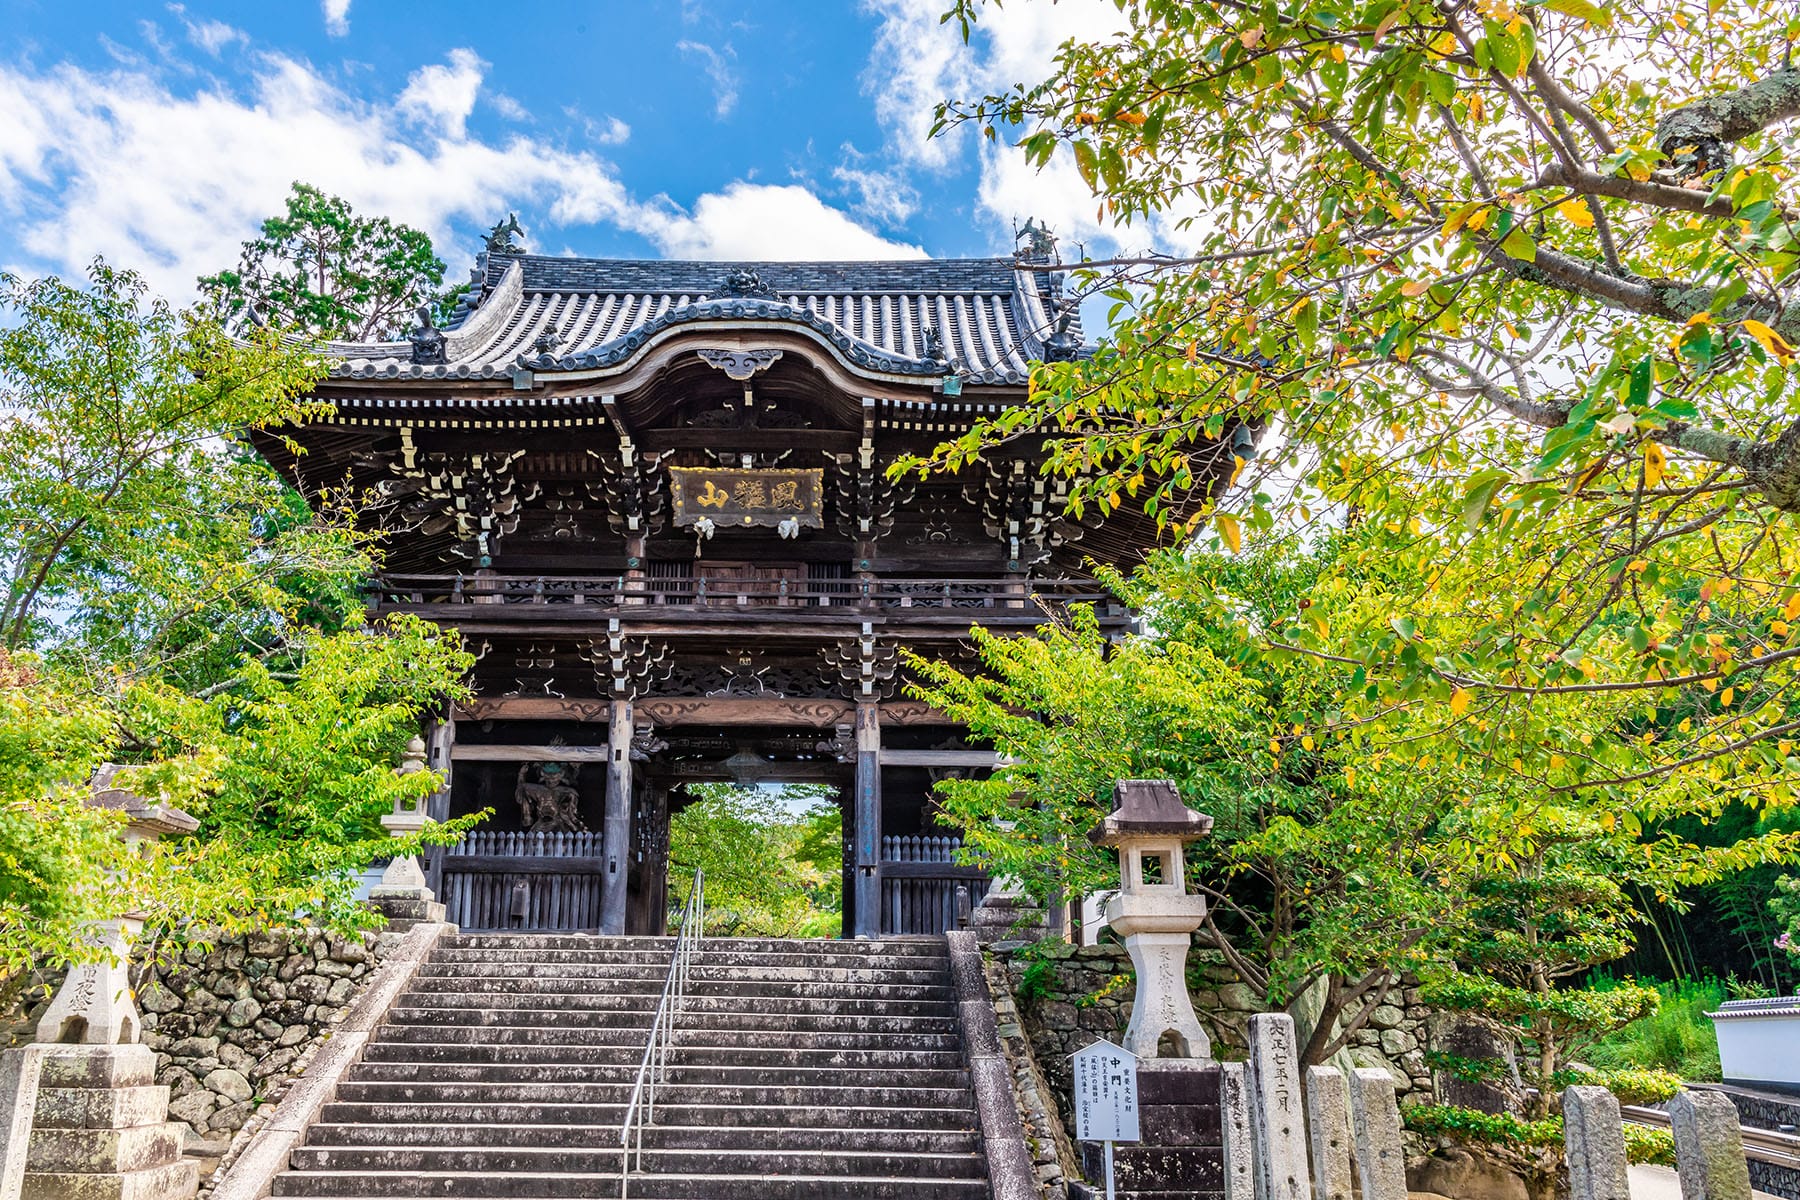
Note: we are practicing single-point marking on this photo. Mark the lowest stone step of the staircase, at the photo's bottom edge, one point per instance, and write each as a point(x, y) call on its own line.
point(368, 1187)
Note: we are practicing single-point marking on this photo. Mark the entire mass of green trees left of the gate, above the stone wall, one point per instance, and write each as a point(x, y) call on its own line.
point(192, 620)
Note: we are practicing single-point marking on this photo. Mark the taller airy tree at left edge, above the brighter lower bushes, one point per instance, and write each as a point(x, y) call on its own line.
point(134, 533)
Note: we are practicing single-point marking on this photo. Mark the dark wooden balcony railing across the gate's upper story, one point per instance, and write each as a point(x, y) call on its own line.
point(433, 593)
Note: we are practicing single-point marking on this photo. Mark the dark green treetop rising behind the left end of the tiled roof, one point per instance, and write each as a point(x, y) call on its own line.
point(328, 273)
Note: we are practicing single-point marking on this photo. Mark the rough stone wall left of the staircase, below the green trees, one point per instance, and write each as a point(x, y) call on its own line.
point(235, 1019)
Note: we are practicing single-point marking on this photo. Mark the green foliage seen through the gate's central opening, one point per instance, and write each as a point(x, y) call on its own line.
point(769, 873)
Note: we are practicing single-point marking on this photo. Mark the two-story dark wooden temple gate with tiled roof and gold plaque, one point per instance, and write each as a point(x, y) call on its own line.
point(654, 499)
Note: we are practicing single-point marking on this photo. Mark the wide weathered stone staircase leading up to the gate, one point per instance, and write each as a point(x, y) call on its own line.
point(822, 1070)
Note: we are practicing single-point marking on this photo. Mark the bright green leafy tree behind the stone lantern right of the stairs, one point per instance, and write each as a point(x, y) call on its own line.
point(1360, 836)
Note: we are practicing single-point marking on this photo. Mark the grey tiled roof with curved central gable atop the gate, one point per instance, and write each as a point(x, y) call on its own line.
point(564, 314)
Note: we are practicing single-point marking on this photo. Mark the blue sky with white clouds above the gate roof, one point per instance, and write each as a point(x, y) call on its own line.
point(161, 134)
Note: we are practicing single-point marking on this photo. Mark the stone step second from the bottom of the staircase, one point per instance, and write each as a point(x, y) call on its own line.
point(559, 1161)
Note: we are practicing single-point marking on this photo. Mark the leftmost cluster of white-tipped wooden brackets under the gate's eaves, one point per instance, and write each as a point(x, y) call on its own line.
point(472, 496)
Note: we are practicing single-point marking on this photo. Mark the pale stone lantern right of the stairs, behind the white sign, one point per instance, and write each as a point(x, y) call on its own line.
point(1155, 913)
